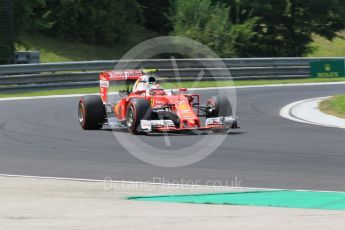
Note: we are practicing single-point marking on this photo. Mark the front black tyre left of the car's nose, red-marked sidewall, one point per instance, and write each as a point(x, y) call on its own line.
point(138, 109)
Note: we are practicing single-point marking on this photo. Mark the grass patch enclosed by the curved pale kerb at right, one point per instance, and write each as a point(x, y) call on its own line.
point(334, 106)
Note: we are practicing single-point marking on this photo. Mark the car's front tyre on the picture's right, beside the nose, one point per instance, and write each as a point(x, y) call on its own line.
point(218, 106)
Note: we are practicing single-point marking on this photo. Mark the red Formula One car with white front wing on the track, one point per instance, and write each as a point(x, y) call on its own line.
point(144, 106)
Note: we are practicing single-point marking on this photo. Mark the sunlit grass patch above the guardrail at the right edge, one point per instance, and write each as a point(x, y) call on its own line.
point(326, 48)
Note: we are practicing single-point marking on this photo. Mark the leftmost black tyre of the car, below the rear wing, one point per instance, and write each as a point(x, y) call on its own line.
point(91, 112)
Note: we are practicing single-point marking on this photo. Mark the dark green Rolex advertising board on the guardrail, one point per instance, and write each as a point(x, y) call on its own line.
point(327, 68)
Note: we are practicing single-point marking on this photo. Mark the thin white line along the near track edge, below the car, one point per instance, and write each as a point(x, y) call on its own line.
point(161, 184)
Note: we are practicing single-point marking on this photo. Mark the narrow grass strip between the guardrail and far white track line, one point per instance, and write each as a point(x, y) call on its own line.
point(170, 85)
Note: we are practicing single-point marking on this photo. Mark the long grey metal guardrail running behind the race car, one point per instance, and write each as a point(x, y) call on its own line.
point(67, 74)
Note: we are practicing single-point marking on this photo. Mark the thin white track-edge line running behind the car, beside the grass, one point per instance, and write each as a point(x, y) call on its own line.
point(191, 89)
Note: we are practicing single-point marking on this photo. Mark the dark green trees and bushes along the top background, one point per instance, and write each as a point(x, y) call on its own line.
point(233, 28)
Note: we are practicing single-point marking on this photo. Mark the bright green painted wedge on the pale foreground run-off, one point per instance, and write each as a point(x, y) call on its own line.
point(276, 198)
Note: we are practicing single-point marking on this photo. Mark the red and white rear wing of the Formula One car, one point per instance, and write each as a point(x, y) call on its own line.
point(118, 75)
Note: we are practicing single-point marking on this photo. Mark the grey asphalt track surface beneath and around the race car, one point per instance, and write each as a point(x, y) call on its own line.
point(43, 138)
